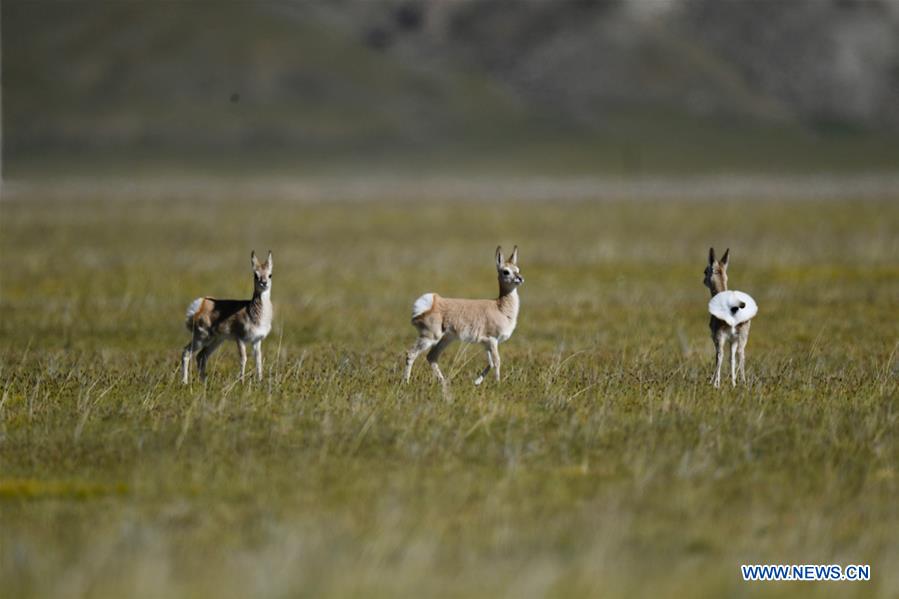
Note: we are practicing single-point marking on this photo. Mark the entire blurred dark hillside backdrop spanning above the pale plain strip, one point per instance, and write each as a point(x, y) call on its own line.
point(628, 86)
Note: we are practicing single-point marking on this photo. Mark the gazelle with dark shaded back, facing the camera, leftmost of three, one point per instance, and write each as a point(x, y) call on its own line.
point(212, 321)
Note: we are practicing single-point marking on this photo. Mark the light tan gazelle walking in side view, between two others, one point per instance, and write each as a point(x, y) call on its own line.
point(441, 320)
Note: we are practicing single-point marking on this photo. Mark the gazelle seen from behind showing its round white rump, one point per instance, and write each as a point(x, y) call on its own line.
point(732, 313)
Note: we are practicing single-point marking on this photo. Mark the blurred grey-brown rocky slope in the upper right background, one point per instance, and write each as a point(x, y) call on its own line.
point(814, 62)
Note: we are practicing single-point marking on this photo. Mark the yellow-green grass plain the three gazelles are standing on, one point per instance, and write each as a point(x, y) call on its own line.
point(602, 465)
